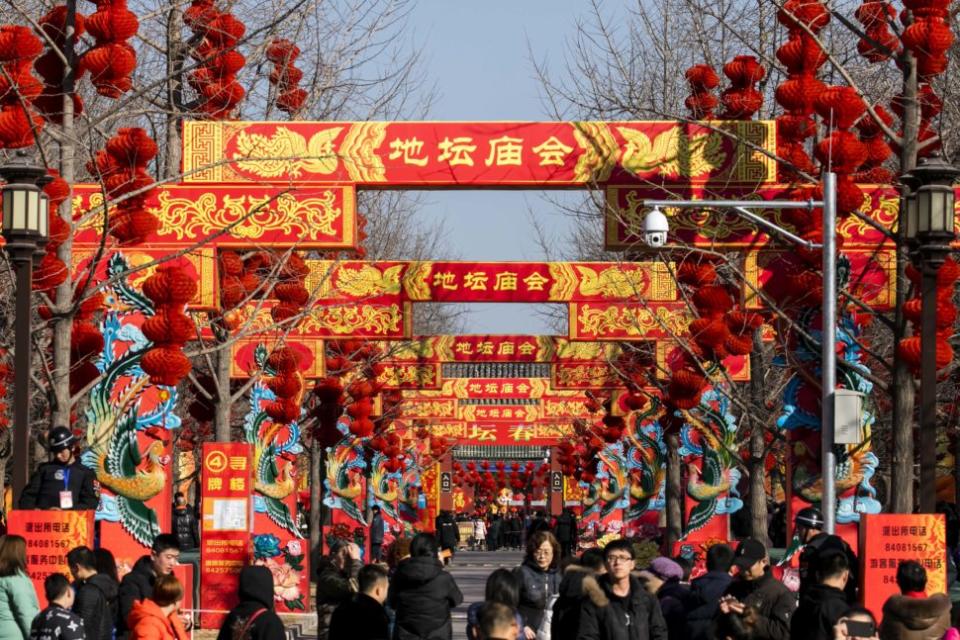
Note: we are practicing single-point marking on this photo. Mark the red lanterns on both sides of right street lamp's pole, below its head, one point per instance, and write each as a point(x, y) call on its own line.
point(909, 348)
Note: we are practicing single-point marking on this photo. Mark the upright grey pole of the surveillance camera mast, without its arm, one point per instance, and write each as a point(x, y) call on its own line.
point(828, 350)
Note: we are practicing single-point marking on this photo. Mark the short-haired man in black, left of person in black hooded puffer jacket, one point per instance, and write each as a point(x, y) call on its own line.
point(363, 616)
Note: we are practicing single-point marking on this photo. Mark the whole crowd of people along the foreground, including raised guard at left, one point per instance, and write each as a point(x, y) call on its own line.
point(551, 595)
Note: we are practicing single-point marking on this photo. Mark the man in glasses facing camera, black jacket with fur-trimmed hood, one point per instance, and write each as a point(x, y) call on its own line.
point(630, 613)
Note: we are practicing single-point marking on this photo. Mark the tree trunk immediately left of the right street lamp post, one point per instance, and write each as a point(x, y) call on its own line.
point(902, 467)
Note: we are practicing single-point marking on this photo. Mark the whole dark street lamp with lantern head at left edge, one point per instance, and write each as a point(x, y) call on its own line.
point(25, 220)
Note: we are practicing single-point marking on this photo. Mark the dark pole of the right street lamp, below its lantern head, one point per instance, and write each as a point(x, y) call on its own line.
point(928, 389)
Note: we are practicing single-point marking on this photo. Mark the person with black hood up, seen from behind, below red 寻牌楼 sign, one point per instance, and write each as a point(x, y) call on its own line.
point(253, 618)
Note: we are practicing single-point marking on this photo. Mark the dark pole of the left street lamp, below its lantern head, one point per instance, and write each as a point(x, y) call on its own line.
point(23, 263)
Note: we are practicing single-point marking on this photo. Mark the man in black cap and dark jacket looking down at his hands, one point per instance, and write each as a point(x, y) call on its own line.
point(754, 588)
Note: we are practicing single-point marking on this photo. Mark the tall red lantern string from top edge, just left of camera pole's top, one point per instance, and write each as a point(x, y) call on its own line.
point(802, 56)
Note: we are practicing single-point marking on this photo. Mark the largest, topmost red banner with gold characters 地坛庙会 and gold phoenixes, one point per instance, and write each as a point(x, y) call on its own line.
point(480, 154)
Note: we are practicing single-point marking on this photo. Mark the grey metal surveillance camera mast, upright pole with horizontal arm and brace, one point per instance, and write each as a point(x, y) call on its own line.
point(829, 319)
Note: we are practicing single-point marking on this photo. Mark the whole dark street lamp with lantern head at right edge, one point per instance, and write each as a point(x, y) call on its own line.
point(929, 217)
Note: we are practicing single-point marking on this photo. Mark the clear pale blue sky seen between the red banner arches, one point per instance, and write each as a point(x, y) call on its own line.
point(477, 55)
